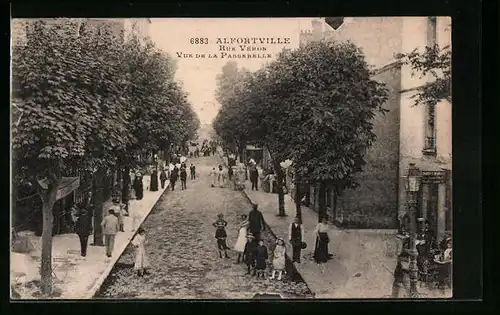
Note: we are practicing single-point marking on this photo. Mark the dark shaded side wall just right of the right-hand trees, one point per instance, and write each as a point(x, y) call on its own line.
point(374, 203)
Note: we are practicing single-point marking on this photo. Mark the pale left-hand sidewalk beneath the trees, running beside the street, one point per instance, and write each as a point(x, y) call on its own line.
point(78, 277)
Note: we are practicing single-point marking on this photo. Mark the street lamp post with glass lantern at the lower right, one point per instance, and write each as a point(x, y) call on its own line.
point(412, 186)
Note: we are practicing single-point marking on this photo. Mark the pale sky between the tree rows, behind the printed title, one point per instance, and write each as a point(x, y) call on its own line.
point(198, 74)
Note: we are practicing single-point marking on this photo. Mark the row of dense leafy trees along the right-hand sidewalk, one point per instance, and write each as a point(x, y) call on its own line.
point(313, 106)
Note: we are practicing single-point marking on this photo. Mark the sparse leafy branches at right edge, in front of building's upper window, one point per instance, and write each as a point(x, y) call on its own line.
point(436, 62)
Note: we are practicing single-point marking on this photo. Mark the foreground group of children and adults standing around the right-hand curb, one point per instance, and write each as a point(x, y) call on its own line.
point(253, 253)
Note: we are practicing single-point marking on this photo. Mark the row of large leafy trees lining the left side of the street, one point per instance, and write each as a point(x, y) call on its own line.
point(90, 100)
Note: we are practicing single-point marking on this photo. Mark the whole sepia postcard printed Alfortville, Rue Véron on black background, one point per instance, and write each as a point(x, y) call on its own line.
point(231, 158)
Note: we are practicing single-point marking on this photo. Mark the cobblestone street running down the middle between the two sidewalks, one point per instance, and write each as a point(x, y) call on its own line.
point(182, 249)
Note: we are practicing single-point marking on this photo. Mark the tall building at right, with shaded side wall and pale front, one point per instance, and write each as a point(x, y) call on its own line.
point(406, 134)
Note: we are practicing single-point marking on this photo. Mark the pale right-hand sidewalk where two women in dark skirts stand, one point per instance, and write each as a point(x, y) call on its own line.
point(363, 261)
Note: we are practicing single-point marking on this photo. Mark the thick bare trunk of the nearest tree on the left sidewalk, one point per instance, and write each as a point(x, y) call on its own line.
point(48, 199)
